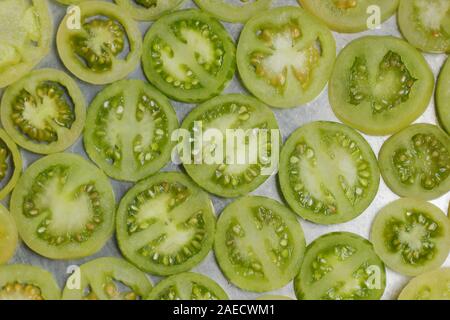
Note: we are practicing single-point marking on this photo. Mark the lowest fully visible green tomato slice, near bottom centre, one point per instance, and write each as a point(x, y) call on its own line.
point(259, 244)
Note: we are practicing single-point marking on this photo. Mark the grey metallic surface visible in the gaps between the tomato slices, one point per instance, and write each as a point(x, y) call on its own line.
point(289, 120)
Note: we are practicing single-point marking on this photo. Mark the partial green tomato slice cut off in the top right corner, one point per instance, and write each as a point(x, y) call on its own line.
point(426, 24)
